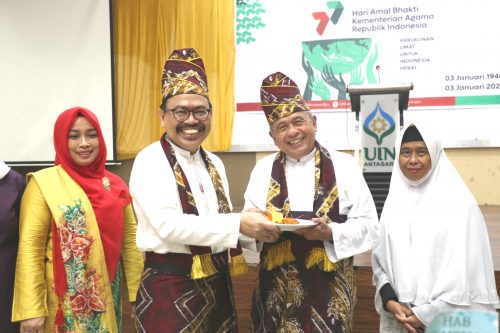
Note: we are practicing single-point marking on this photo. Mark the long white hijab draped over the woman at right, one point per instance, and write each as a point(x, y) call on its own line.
point(433, 241)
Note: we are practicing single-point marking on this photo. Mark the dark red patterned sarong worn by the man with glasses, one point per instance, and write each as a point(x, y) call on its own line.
point(170, 301)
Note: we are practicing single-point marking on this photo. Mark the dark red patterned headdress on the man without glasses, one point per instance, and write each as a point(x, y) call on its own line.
point(280, 97)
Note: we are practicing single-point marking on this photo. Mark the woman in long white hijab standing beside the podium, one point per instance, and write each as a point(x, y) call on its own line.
point(433, 253)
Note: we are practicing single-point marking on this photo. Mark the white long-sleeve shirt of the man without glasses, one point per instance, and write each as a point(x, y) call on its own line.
point(358, 233)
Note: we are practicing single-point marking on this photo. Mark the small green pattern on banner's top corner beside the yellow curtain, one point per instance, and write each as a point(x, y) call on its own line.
point(247, 20)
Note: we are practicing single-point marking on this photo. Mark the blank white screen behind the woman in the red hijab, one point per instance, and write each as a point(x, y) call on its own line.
point(55, 54)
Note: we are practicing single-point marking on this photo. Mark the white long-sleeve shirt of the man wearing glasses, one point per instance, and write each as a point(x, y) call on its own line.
point(162, 225)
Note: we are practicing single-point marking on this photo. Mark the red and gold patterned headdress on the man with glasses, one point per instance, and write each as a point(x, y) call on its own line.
point(184, 73)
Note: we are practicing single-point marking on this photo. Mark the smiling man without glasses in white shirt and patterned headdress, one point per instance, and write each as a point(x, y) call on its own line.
point(306, 278)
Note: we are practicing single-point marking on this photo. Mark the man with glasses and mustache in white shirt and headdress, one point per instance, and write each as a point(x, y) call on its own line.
point(180, 196)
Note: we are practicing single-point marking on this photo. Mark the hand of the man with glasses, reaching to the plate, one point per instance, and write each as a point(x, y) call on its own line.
point(256, 225)
